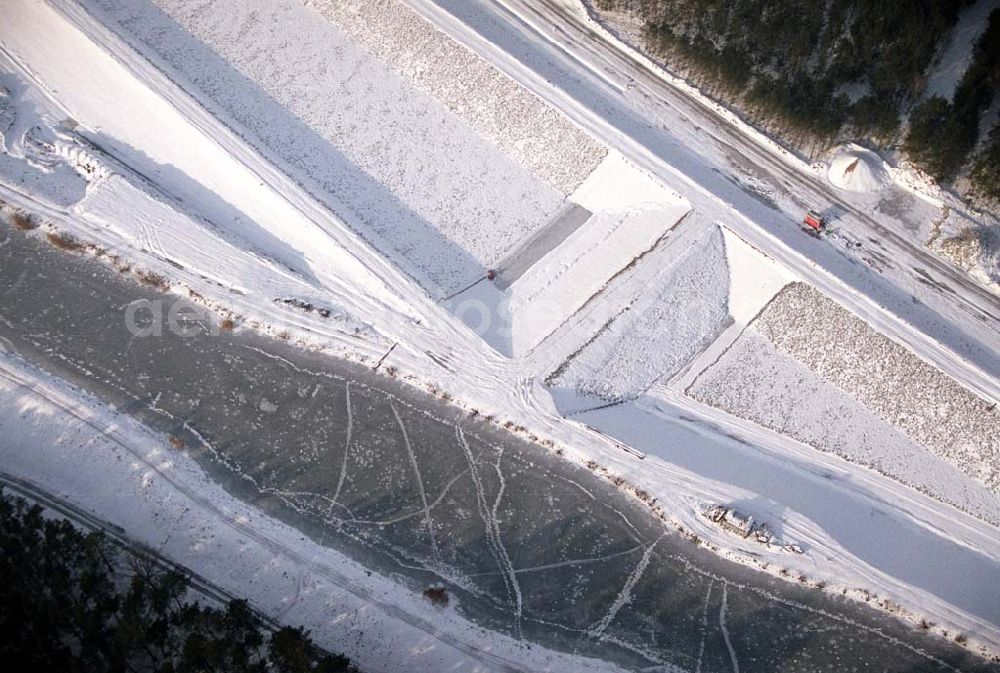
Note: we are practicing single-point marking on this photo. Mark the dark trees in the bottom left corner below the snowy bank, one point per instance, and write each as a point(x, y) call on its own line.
point(75, 602)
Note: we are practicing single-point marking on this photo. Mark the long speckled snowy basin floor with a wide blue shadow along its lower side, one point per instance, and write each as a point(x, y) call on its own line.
point(410, 176)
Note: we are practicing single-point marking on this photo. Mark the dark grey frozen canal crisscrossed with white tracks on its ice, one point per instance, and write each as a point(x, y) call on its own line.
point(412, 487)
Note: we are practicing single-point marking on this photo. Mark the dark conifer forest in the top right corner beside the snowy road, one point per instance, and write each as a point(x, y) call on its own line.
point(818, 73)
